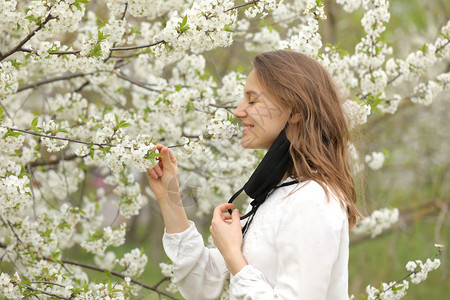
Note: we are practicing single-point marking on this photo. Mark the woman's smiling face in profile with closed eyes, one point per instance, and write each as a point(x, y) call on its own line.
point(262, 117)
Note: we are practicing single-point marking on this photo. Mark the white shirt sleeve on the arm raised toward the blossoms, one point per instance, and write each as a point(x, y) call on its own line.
point(199, 272)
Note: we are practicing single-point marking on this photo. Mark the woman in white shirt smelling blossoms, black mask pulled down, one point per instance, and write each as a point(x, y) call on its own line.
point(295, 242)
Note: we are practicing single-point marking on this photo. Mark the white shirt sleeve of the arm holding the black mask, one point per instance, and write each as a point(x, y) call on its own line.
point(307, 244)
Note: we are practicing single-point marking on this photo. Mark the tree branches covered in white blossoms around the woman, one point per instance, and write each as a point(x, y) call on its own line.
point(92, 86)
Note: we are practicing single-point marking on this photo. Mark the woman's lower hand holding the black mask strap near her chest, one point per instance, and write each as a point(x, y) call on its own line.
point(226, 231)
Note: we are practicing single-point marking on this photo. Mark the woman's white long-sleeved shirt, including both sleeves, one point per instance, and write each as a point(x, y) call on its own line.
point(296, 248)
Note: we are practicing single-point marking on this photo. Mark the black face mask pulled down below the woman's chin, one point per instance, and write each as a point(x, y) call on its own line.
point(267, 175)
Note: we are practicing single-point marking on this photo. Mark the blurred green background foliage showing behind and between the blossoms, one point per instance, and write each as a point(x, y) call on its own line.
point(415, 177)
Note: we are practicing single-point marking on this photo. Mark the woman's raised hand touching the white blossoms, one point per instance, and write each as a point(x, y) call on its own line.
point(163, 177)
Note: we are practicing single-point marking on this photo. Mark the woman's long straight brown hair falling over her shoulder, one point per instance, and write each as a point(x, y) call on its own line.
point(319, 140)
